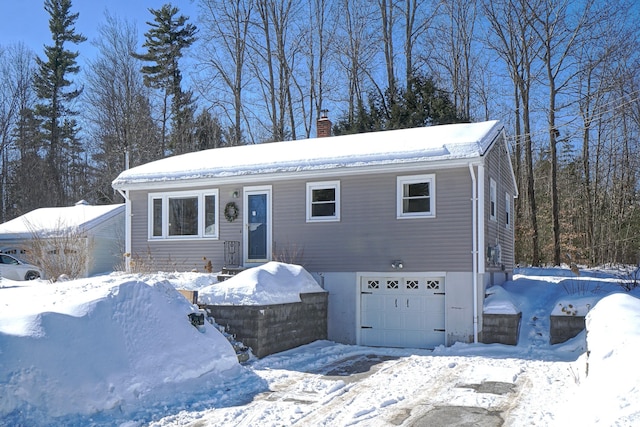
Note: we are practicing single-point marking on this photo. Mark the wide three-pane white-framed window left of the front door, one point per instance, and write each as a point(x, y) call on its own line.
point(183, 215)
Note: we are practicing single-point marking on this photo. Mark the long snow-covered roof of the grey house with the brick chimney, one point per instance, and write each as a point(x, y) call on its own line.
point(394, 147)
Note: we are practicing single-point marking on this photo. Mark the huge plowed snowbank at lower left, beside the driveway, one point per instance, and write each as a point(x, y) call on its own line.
point(100, 344)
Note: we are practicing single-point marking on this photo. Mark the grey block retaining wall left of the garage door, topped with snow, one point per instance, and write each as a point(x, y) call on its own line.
point(269, 329)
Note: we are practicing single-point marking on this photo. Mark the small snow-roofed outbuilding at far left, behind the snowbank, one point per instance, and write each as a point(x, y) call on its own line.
point(99, 229)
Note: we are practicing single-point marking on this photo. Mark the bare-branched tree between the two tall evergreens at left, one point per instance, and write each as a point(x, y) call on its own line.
point(119, 108)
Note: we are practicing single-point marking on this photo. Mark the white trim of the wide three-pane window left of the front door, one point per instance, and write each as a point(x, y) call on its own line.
point(201, 214)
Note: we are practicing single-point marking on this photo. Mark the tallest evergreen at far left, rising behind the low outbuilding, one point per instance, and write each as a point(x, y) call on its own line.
point(55, 93)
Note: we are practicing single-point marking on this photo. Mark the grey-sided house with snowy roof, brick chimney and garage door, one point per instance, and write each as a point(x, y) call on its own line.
point(404, 228)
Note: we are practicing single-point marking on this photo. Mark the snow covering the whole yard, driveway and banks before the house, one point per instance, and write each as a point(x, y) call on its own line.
point(119, 350)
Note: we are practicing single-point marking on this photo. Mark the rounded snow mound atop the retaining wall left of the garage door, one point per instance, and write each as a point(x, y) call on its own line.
point(271, 283)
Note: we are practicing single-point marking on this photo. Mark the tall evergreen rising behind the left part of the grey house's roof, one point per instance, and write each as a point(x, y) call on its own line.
point(166, 40)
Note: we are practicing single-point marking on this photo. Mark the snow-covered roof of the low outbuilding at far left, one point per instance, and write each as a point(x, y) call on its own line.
point(48, 221)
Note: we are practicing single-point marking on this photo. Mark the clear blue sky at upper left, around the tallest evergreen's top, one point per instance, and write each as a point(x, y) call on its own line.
point(27, 21)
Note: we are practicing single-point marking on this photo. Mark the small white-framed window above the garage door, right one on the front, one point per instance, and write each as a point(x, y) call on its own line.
point(416, 196)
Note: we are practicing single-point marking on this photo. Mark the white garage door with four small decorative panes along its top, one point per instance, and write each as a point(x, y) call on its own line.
point(406, 311)
